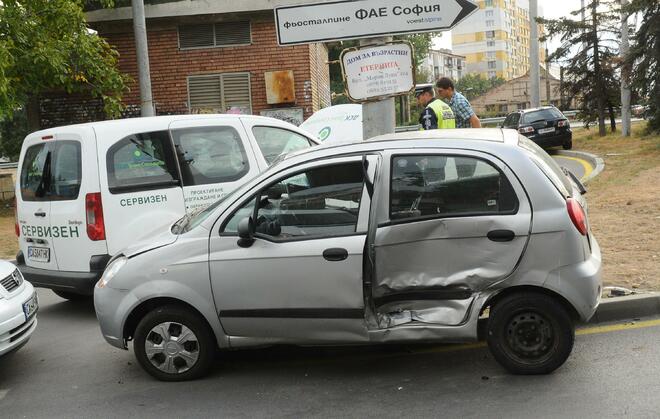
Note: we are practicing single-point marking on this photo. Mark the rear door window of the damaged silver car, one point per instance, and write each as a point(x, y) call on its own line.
point(431, 186)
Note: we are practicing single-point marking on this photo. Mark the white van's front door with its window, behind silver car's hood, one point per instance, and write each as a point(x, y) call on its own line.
point(215, 157)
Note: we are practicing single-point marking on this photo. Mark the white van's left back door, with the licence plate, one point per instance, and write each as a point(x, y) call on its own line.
point(33, 202)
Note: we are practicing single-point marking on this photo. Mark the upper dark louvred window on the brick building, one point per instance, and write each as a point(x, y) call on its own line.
point(220, 34)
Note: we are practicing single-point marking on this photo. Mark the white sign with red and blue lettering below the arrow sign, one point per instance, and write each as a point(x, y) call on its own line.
point(378, 72)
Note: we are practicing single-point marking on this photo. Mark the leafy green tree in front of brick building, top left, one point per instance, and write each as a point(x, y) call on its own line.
point(46, 46)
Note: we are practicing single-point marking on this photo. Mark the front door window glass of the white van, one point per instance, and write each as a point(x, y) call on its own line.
point(210, 155)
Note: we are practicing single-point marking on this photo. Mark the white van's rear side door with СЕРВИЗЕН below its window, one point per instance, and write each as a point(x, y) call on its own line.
point(141, 186)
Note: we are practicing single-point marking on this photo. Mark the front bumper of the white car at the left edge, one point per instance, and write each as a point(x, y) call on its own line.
point(15, 330)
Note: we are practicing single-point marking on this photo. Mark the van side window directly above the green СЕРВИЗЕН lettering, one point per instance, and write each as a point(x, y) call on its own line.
point(142, 162)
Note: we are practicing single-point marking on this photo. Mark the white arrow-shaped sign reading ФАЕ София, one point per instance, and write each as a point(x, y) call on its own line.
point(353, 19)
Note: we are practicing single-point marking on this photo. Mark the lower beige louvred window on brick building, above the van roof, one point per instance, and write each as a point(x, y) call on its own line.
point(228, 92)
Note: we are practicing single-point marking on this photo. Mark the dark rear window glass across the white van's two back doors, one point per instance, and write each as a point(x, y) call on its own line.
point(52, 172)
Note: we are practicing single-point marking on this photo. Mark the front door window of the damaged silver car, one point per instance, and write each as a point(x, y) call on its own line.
point(317, 203)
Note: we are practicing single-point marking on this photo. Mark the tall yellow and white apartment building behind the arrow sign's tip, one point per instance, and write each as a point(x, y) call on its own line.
point(495, 40)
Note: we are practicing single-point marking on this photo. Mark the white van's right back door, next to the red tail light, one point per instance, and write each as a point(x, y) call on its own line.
point(74, 178)
